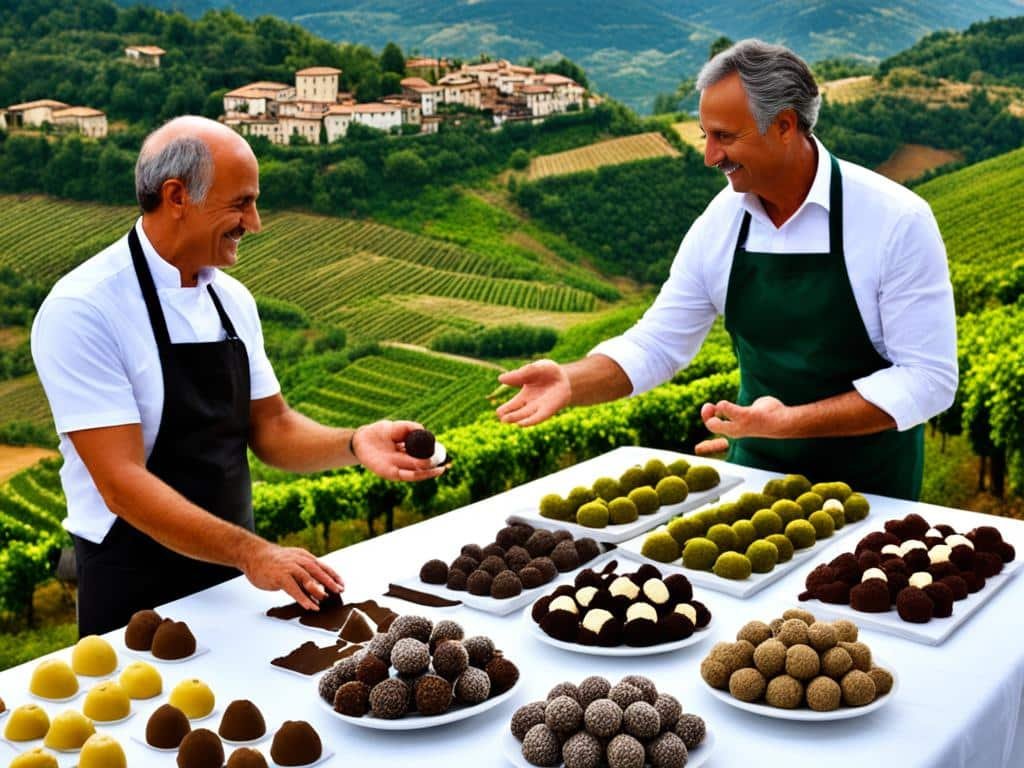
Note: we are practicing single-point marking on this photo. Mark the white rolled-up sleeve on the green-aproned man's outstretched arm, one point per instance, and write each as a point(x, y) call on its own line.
point(671, 332)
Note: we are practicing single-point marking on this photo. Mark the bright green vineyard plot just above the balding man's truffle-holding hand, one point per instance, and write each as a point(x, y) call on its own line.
point(400, 383)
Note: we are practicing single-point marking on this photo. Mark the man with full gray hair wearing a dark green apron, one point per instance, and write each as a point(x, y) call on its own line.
point(833, 282)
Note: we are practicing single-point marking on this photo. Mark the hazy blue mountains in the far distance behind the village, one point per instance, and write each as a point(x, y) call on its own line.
point(631, 51)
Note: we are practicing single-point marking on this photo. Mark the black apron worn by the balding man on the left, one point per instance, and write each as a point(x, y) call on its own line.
point(200, 452)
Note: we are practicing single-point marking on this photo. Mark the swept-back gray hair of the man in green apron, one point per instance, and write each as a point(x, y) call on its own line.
point(775, 78)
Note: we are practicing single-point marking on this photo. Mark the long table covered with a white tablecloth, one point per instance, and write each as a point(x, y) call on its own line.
point(958, 704)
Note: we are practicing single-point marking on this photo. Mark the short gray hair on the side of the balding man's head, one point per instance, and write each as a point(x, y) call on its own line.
point(187, 159)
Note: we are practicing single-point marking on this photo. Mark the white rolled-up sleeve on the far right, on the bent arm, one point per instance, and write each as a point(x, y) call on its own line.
point(919, 325)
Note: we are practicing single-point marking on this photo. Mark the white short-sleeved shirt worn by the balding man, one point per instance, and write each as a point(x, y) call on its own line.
point(97, 357)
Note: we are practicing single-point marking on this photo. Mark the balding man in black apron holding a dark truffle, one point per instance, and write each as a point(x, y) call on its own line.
point(154, 365)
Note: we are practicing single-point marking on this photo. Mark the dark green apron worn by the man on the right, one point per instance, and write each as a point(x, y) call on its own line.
point(799, 337)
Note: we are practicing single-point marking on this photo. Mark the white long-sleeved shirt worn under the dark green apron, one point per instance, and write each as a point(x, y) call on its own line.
point(898, 266)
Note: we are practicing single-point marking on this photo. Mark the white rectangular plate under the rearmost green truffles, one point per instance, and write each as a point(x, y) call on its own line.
point(561, 484)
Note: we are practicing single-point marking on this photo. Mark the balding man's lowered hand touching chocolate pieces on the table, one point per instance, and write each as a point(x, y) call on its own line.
point(296, 572)
